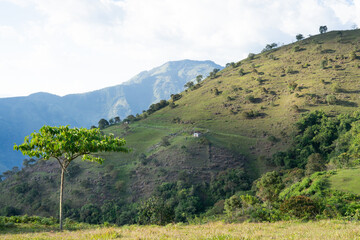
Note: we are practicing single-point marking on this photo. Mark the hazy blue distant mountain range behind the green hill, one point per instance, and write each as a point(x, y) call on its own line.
point(19, 116)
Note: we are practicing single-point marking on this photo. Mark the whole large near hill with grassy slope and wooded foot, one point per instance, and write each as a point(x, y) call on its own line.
point(246, 115)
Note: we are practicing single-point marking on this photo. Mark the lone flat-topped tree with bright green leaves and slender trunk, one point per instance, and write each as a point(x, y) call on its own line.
point(66, 144)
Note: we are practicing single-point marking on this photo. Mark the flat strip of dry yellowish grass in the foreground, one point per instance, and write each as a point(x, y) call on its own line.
point(324, 229)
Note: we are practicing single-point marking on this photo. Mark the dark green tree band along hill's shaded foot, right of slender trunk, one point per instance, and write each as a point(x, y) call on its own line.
point(170, 202)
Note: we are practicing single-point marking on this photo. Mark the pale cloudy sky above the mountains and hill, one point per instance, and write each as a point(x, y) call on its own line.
point(75, 46)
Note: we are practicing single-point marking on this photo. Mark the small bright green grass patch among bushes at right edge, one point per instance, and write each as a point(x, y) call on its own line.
point(346, 180)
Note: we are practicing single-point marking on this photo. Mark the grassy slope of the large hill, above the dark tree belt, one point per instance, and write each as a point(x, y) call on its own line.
point(221, 118)
